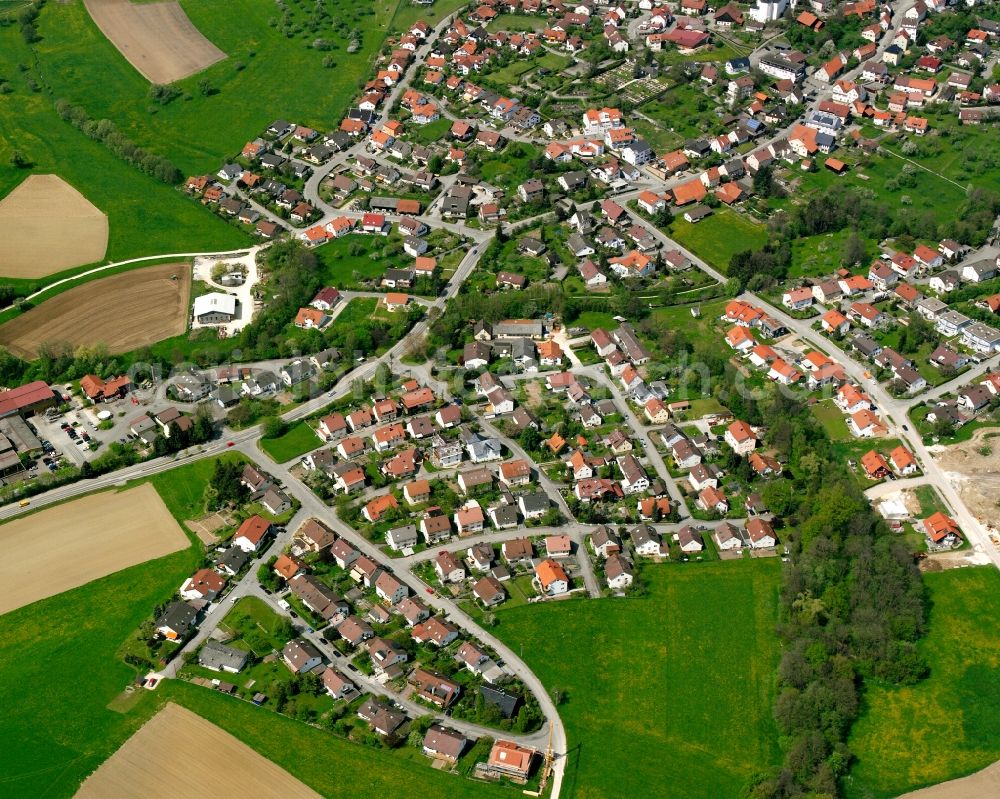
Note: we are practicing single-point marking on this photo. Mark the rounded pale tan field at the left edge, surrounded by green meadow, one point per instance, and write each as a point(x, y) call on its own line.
point(47, 226)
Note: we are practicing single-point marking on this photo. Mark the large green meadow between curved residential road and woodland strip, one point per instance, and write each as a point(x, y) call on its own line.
point(650, 688)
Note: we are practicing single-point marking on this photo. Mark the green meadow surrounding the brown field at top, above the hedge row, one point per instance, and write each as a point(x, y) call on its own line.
point(277, 64)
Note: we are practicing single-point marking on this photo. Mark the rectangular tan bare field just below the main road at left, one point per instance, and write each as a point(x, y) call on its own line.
point(69, 545)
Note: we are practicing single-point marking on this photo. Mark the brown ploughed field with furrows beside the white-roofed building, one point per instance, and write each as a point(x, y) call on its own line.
point(123, 312)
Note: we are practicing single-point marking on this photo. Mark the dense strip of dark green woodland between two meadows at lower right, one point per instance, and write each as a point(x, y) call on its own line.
point(852, 604)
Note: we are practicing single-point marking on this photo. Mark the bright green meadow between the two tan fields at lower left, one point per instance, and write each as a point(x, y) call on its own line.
point(69, 644)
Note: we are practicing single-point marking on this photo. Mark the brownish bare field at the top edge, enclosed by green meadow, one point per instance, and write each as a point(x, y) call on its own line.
point(157, 39)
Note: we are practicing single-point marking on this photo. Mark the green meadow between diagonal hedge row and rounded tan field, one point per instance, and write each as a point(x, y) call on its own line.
point(145, 216)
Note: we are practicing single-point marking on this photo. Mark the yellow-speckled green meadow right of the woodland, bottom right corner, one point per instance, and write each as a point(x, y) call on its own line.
point(898, 740)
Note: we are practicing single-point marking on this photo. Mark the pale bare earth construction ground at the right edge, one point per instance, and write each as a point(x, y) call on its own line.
point(974, 467)
